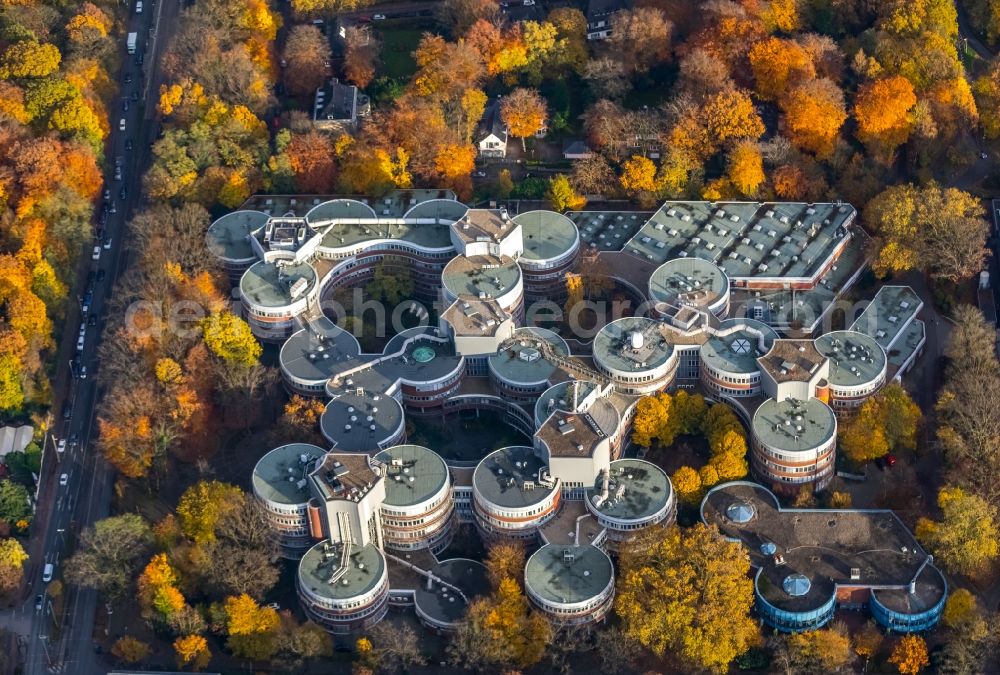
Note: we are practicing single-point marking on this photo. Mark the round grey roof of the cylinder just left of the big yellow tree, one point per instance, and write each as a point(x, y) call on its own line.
point(568, 574)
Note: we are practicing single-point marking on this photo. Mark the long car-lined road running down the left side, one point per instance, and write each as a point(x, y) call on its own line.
point(58, 637)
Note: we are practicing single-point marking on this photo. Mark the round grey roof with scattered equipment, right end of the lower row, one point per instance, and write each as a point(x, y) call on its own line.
point(646, 490)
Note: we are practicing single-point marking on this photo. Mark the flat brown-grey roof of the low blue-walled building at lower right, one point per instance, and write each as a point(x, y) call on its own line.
point(822, 545)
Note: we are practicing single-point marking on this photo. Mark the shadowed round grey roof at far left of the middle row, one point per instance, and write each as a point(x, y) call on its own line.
point(319, 350)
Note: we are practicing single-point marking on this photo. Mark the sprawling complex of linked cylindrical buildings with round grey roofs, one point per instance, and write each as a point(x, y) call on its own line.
point(725, 298)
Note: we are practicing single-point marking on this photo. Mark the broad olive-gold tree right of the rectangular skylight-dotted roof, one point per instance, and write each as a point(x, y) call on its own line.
point(937, 229)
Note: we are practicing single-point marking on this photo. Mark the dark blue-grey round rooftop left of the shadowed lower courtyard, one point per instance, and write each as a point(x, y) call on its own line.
point(361, 413)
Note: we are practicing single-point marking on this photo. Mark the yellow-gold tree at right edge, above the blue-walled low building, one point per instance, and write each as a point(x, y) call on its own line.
point(965, 539)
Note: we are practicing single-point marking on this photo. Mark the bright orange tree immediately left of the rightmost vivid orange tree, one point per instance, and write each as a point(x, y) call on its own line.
point(814, 112)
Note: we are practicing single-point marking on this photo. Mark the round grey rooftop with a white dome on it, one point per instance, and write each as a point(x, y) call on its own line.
point(615, 345)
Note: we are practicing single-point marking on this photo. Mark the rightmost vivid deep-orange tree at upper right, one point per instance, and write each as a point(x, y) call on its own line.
point(881, 110)
